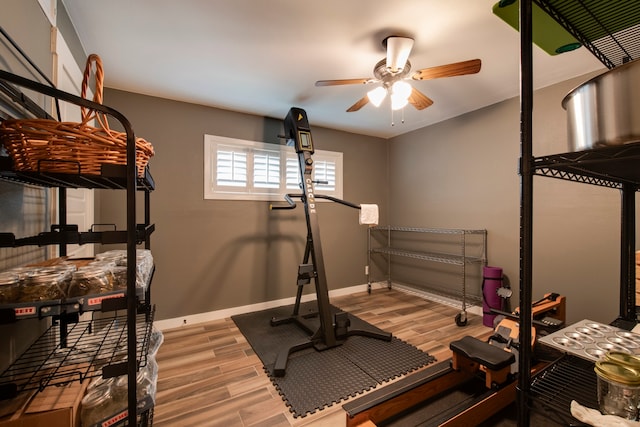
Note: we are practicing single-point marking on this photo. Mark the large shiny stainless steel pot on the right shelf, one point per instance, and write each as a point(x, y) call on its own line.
point(605, 110)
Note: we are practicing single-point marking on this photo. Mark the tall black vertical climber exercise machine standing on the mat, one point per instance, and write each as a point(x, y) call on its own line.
point(334, 327)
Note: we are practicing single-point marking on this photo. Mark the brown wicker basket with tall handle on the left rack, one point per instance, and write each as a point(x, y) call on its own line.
point(43, 145)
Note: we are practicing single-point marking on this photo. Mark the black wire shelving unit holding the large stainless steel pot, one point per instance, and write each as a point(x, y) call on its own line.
point(611, 32)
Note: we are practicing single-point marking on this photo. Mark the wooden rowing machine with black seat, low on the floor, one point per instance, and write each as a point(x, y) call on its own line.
point(479, 366)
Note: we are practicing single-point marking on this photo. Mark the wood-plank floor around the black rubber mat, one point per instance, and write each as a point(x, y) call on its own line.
point(210, 376)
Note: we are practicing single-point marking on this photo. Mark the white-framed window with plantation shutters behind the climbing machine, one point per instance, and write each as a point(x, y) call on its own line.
point(235, 169)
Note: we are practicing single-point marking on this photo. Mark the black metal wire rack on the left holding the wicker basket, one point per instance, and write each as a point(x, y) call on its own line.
point(71, 348)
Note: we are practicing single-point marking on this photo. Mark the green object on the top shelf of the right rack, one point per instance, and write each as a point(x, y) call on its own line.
point(547, 33)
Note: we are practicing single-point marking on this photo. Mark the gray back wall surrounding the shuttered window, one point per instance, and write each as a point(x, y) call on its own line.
point(213, 255)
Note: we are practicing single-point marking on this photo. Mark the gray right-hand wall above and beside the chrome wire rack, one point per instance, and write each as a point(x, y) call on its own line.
point(463, 173)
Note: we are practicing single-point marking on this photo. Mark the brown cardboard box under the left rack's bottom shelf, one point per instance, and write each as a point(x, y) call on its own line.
point(55, 406)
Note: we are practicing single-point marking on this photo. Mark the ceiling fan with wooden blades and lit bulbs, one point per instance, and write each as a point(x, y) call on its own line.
point(393, 71)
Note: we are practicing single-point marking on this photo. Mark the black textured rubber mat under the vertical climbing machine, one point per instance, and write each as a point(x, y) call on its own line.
point(318, 379)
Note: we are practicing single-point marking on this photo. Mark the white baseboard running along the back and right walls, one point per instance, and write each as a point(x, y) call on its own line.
point(192, 319)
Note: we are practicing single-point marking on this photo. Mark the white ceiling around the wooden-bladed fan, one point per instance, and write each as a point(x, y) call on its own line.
point(264, 56)
